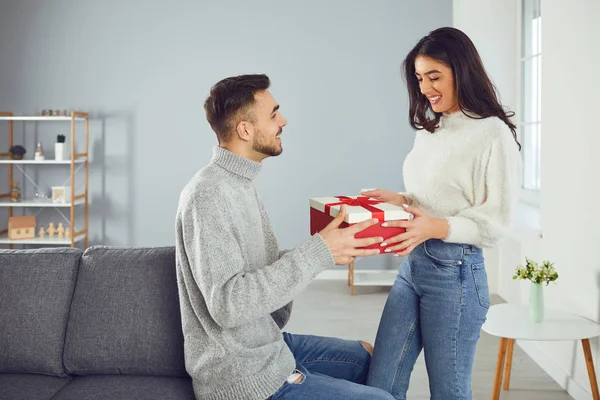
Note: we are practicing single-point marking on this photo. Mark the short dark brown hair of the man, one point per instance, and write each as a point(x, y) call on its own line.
point(230, 100)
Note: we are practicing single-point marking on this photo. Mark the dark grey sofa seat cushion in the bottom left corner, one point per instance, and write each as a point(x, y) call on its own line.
point(30, 386)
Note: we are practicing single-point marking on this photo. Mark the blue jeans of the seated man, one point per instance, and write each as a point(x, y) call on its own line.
point(330, 369)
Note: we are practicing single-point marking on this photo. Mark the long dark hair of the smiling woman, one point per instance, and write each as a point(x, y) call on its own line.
point(476, 92)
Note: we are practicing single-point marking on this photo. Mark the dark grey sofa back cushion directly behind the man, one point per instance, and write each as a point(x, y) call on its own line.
point(125, 315)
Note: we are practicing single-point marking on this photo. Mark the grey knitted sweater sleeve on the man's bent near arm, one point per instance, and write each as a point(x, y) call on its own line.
point(233, 294)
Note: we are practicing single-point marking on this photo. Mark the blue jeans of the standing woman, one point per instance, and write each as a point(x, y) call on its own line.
point(438, 303)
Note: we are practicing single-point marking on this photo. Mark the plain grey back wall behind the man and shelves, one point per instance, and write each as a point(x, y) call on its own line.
point(143, 69)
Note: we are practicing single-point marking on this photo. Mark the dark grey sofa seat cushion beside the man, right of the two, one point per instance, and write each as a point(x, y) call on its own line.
point(105, 387)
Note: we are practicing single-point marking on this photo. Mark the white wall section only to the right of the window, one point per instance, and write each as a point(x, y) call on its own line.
point(570, 166)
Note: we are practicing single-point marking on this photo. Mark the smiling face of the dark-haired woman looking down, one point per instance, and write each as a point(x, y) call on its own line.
point(436, 81)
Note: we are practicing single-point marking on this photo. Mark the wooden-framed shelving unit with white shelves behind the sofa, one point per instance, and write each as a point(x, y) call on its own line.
point(76, 161)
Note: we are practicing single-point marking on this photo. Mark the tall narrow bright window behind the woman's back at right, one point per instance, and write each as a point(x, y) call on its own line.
point(530, 124)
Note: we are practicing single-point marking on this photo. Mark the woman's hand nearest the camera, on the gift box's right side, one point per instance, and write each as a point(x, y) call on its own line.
point(421, 228)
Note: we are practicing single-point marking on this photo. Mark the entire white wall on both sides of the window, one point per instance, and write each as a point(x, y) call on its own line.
point(570, 222)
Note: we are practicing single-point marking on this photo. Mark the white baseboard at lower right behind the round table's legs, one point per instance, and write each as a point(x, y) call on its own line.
point(561, 377)
